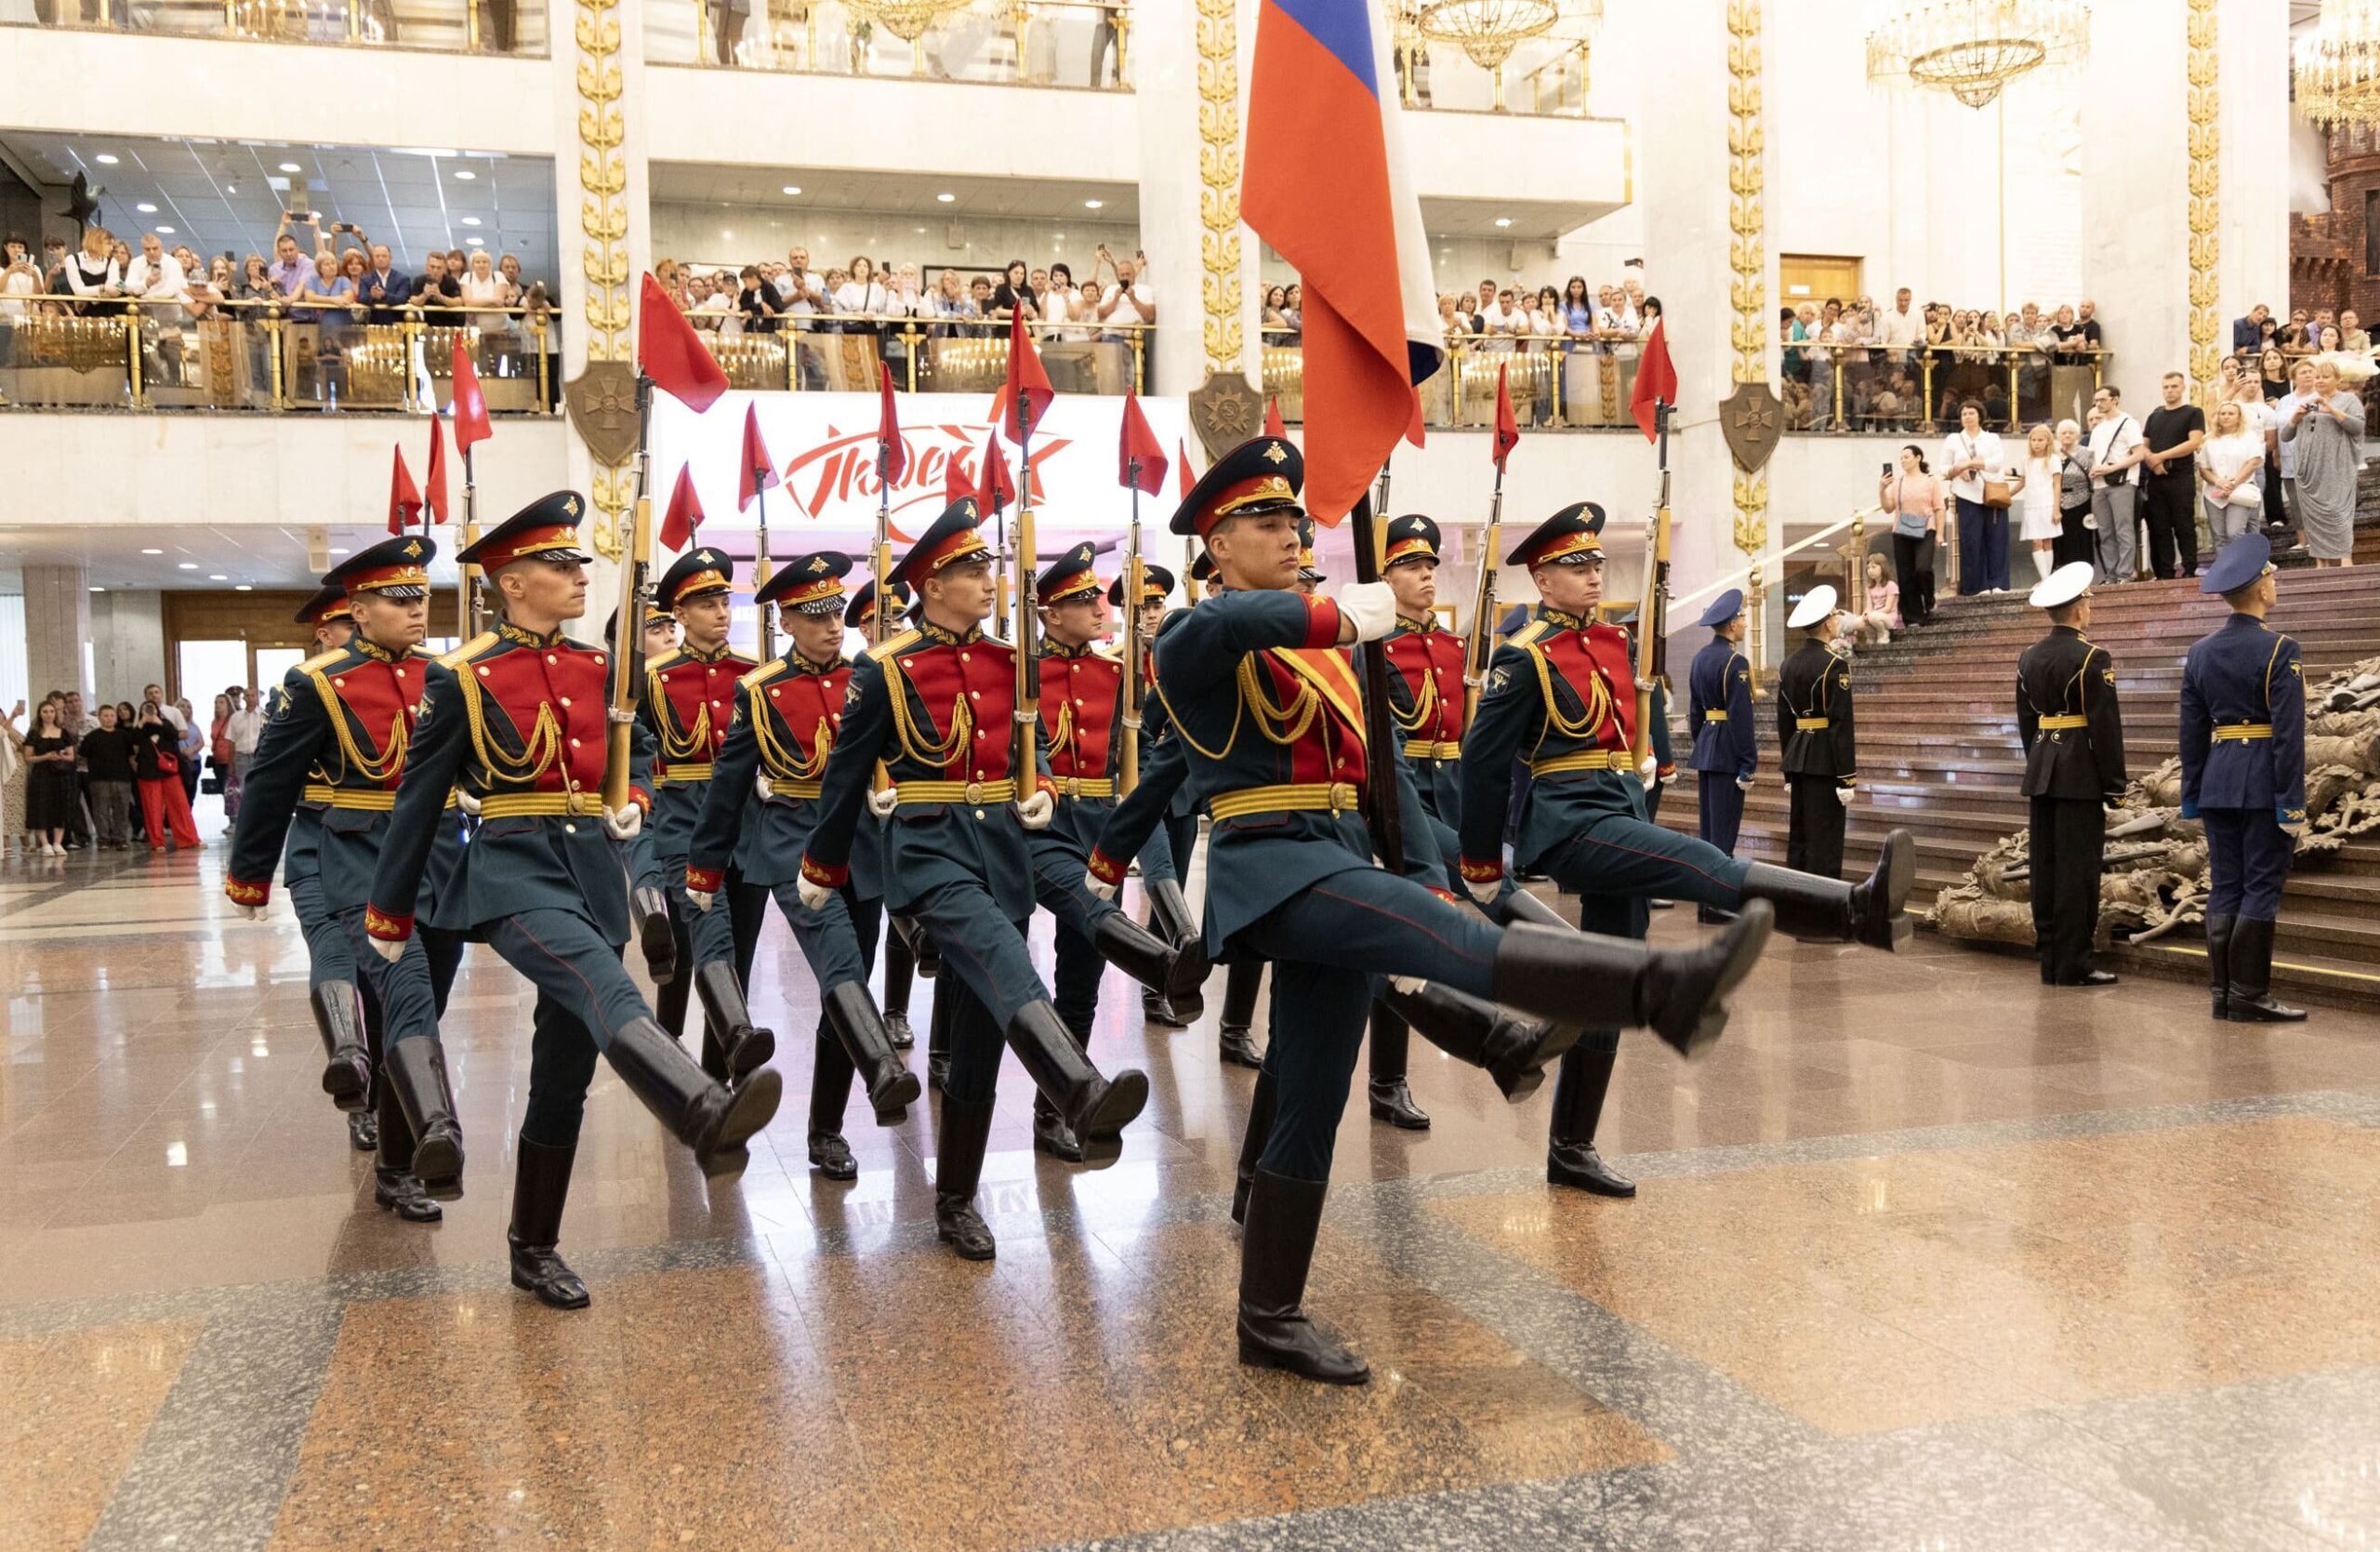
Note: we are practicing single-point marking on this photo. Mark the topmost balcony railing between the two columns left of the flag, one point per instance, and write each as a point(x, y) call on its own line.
point(1070, 44)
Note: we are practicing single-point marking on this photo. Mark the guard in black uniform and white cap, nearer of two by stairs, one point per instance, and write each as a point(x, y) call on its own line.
point(2074, 772)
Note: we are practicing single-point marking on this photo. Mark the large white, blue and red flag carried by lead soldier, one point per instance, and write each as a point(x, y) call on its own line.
point(1327, 187)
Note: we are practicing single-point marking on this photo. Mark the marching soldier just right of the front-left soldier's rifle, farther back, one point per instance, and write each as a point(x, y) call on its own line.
point(687, 708)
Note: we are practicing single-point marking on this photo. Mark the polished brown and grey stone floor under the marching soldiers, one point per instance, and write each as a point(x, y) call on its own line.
point(1927, 1258)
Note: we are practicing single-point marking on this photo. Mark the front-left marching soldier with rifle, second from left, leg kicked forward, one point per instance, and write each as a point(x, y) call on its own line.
point(520, 718)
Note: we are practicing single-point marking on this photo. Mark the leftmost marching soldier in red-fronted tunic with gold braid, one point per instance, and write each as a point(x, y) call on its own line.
point(327, 775)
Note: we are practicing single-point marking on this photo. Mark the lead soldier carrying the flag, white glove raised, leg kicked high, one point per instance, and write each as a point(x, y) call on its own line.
point(1267, 708)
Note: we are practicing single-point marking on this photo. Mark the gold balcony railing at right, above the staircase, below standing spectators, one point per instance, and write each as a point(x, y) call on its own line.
point(1919, 389)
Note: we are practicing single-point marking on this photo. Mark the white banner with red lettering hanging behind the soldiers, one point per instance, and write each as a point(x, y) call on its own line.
point(825, 451)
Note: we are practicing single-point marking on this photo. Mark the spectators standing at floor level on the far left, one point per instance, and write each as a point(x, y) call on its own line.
point(120, 775)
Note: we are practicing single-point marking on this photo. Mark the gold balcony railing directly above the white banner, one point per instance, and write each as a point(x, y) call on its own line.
point(837, 353)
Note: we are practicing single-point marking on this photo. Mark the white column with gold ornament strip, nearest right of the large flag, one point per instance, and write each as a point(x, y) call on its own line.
point(1701, 184)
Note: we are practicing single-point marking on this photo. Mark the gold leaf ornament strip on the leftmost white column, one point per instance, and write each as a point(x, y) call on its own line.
point(603, 223)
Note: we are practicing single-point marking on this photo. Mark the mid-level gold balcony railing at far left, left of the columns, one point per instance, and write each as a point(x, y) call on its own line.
point(263, 358)
